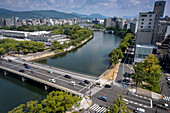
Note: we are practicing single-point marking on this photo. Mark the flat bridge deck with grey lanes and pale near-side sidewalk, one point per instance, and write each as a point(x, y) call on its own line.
point(41, 75)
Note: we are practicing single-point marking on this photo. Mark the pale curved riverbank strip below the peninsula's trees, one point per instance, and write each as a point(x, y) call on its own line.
point(45, 54)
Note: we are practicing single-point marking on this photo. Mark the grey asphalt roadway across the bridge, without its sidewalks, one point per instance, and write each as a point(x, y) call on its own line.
point(44, 75)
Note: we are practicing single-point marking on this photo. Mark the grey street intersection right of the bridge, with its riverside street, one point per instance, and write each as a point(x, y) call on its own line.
point(133, 100)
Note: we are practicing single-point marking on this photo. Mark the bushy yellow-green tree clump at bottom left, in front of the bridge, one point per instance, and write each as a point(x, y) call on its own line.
point(55, 102)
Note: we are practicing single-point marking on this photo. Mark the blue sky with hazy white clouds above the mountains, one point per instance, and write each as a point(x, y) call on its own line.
point(110, 8)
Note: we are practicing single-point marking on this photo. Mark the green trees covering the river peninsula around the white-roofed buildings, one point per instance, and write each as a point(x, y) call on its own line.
point(77, 35)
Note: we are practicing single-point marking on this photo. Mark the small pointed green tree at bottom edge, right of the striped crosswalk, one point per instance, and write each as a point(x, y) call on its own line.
point(119, 106)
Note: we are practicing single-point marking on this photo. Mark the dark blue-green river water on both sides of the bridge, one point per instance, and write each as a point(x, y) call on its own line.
point(89, 59)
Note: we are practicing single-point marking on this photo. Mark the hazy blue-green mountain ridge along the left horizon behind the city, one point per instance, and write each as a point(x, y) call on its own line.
point(5, 13)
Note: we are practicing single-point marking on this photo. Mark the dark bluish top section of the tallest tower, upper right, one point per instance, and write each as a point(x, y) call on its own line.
point(159, 7)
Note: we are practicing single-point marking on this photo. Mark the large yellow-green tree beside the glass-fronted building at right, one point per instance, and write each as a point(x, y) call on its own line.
point(148, 71)
